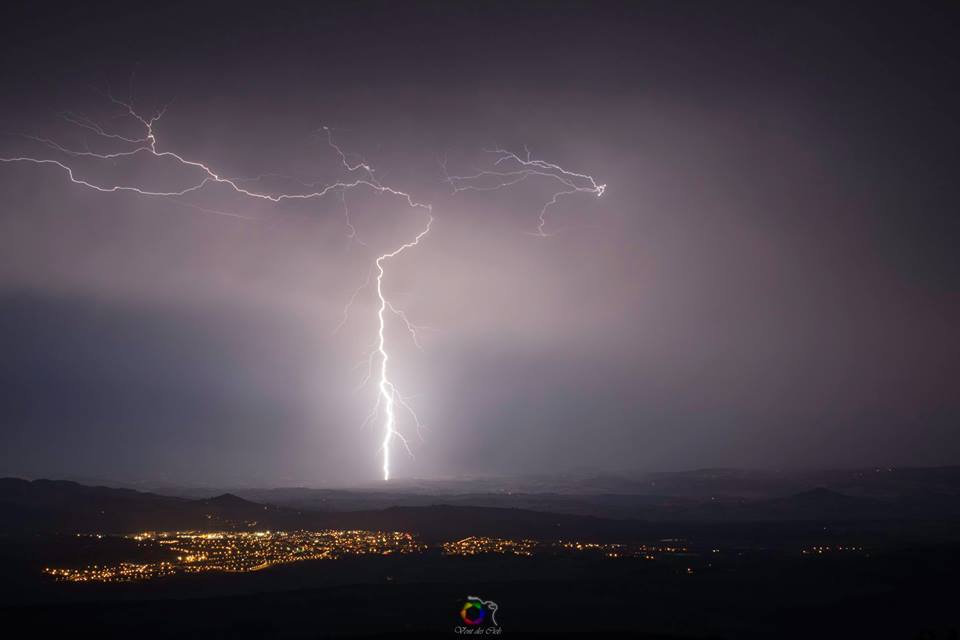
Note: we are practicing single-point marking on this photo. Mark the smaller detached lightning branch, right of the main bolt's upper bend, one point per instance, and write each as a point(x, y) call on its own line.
point(510, 169)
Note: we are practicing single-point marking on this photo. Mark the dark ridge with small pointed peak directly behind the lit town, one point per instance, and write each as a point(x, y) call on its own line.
point(67, 507)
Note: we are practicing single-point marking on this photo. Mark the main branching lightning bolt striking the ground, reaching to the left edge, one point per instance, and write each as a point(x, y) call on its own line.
point(388, 396)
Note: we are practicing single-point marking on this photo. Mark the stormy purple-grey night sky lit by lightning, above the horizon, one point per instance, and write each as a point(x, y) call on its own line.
point(770, 280)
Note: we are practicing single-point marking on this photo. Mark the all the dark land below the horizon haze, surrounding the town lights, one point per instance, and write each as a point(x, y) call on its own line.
point(813, 572)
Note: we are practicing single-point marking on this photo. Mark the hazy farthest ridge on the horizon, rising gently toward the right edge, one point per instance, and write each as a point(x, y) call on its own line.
point(706, 495)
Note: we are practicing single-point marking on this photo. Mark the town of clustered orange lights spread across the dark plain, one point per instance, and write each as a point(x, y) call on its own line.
point(238, 552)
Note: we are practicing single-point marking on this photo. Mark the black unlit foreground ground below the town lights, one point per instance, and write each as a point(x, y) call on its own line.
point(908, 594)
